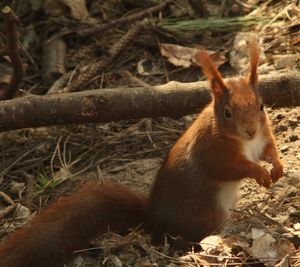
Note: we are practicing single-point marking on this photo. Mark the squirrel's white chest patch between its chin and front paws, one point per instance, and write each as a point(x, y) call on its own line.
point(253, 149)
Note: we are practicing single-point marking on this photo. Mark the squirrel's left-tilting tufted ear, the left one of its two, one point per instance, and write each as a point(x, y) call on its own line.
point(213, 75)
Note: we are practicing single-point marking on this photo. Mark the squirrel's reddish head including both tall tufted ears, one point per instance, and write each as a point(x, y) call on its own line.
point(238, 108)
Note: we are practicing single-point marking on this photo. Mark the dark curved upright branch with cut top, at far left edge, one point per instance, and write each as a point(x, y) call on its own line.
point(10, 29)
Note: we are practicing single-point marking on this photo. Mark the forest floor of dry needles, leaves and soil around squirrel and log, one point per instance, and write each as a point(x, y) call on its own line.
point(39, 165)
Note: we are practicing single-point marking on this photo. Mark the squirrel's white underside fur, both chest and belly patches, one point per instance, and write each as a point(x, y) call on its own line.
point(228, 194)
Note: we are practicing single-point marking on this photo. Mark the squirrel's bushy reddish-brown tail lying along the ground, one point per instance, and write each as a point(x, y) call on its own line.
point(70, 223)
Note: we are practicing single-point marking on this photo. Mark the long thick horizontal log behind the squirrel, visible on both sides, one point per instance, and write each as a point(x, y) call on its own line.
point(173, 99)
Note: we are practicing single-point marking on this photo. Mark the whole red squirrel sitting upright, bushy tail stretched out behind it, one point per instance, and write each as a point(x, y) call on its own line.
point(194, 189)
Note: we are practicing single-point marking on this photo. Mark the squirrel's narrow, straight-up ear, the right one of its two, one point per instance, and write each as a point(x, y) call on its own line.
point(254, 51)
